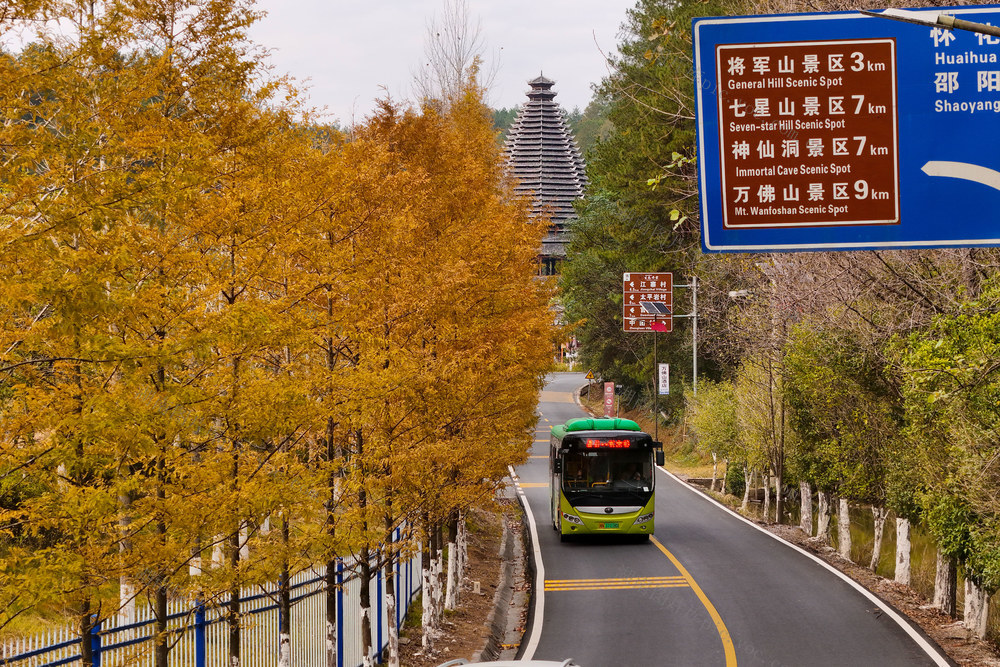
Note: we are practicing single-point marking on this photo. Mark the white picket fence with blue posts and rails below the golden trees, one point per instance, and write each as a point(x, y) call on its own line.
point(199, 635)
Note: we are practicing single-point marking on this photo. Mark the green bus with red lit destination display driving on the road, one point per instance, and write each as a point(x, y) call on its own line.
point(601, 478)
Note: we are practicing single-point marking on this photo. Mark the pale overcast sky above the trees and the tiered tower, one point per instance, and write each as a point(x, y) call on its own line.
point(350, 53)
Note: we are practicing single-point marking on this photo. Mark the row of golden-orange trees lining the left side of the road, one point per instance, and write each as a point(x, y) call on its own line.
point(235, 345)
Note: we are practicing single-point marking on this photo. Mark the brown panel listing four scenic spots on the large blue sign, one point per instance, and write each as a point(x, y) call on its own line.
point(808, 133)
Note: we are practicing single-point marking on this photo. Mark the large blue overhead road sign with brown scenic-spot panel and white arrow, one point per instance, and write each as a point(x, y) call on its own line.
point(844, 132)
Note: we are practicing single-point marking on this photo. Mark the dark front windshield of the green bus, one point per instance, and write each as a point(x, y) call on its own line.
point(614, 470)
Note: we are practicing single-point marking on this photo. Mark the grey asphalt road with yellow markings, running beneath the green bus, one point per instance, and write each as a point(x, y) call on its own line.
point(708, 589)
